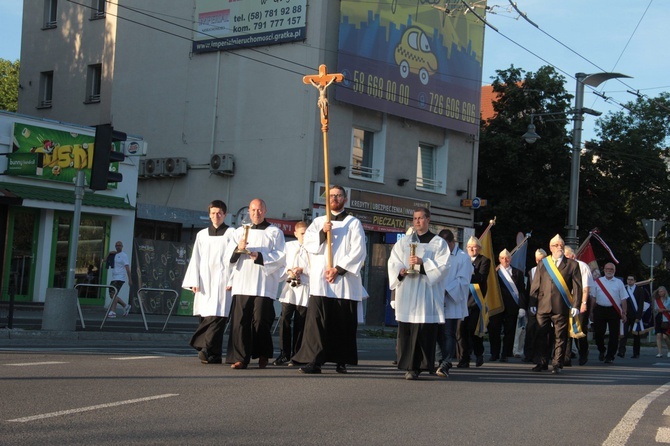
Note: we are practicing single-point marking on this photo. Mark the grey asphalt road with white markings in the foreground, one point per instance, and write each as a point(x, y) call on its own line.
point(152, 390)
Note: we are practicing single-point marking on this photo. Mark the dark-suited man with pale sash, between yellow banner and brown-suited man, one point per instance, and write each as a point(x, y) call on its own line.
point(512, 290)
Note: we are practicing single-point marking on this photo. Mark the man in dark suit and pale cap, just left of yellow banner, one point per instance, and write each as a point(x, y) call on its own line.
point(468, 340)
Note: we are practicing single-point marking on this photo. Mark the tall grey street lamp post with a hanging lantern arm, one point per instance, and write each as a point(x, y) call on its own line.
point(592, 80)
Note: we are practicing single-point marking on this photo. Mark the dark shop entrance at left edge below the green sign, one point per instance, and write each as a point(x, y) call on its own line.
point(19, 270)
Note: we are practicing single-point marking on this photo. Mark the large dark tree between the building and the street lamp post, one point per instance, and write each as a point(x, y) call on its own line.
point(526, 185)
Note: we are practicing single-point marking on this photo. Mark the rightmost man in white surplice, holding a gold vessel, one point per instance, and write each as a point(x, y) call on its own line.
point(419, 296)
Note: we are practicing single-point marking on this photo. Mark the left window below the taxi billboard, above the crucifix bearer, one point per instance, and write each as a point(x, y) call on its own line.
point(367, 155)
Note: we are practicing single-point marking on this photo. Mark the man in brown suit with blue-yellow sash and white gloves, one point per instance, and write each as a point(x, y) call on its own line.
point(550, 305)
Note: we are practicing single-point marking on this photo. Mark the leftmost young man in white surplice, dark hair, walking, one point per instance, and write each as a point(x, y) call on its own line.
point(207, 276)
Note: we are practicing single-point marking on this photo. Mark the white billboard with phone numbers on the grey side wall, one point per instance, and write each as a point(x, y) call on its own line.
point(231, 25)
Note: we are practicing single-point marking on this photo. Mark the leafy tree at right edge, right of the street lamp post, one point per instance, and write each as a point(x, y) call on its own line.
point(625, 178)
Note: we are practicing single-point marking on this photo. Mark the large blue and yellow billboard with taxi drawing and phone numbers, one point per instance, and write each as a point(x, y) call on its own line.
point(418, 59)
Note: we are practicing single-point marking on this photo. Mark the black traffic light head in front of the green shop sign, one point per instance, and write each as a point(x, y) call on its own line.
point(104, 155)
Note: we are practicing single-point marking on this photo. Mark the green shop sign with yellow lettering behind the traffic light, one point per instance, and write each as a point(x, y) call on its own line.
point(51, 154)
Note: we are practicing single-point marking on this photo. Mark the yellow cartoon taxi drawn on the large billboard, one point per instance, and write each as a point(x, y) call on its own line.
point(413, 55)
